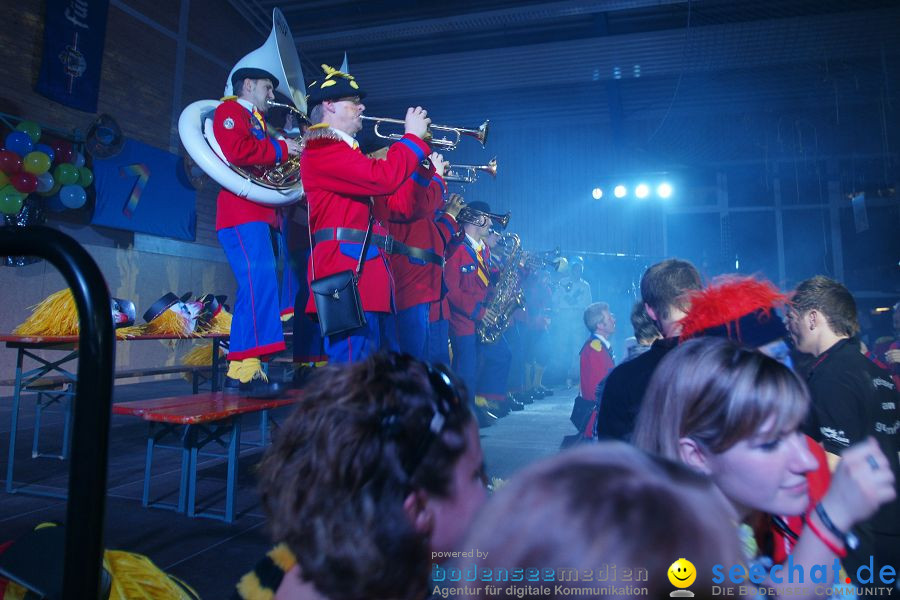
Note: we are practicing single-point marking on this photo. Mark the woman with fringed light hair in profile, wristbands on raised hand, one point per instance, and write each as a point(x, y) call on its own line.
point(734, 414)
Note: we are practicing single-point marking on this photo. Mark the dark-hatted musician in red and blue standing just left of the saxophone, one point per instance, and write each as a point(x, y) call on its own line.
point(468, 276)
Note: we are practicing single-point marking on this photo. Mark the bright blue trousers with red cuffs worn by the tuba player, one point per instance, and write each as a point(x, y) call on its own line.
point(256, 324)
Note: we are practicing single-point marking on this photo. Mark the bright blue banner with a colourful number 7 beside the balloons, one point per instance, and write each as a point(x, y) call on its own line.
point(145, 189)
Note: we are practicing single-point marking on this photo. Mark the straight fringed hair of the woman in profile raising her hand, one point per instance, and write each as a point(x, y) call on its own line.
point(717, 393)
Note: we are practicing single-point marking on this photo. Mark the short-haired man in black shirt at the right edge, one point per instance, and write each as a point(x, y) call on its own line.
point(852, 398)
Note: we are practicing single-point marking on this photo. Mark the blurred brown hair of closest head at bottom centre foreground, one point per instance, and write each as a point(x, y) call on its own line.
point(595, 506)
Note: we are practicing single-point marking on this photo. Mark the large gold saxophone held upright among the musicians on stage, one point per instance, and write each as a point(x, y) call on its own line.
point(506, 297)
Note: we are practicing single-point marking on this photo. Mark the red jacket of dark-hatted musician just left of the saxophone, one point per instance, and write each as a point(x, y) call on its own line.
point(466, 290)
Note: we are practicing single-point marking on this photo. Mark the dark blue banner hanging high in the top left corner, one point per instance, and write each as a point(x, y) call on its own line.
point(74, 34)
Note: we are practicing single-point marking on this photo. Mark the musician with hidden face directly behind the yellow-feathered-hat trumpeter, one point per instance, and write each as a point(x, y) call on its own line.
point(417, 262)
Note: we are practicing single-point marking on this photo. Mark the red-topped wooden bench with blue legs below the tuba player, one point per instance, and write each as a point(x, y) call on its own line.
point(198, 420)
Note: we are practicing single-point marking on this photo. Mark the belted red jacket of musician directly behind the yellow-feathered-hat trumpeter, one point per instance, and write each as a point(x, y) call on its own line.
point(417, 281)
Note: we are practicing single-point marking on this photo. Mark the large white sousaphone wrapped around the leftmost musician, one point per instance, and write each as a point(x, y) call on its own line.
point(279, 185)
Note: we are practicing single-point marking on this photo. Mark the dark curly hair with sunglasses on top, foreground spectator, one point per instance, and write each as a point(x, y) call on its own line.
point(335, 479)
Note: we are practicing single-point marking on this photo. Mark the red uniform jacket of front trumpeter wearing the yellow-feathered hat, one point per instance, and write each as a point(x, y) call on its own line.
point(339, 183)
